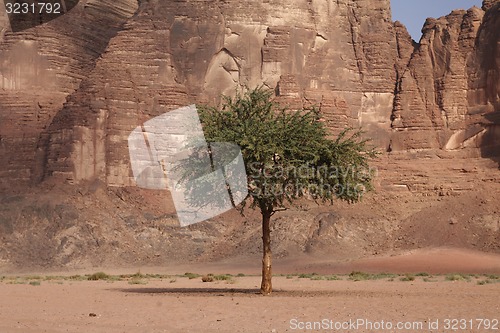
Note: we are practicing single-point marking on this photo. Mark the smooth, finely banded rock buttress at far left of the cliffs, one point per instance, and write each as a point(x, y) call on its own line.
point(39, 68)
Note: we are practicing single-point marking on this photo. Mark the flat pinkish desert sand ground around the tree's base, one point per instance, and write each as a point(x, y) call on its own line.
point(179, 304)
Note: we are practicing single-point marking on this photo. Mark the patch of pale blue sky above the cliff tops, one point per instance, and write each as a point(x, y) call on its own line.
point(413, 13)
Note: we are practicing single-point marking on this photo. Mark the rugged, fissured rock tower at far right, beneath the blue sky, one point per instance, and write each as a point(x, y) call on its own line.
point(448, 96)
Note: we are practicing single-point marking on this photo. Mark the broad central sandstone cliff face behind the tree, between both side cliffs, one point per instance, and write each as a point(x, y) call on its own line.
point(338, 55)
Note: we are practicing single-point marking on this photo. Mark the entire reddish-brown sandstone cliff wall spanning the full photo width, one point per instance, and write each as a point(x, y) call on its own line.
point(69, 101)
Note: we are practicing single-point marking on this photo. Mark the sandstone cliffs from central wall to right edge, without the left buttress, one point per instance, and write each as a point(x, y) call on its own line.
point(347, 57)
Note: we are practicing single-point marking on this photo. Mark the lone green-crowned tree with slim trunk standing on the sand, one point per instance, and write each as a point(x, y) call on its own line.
point(287, 155)
